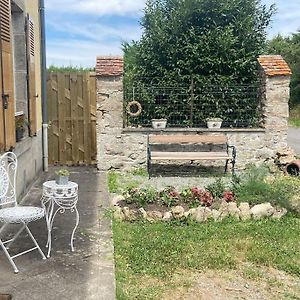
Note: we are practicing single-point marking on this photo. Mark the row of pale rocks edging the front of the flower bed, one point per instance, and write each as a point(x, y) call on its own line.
point(242, 212)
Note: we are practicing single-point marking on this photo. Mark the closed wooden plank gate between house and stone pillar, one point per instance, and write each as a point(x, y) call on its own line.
point(72, 118)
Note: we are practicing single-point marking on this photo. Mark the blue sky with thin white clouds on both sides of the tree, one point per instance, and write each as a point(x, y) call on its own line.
point(77, 31)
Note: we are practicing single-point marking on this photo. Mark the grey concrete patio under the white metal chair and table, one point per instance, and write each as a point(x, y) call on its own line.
point(87, 273)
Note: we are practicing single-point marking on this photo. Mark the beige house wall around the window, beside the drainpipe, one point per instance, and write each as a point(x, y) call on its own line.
point(29, 149)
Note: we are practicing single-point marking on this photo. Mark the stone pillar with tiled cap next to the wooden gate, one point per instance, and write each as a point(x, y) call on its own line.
point(109, 72)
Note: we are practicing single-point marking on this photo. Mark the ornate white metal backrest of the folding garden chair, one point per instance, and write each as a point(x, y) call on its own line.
point(8, 171)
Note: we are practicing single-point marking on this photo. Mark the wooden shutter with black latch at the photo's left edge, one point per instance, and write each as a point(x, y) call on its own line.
point(7, 115)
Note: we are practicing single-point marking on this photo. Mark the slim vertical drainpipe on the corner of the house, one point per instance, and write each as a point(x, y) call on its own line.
point(44, 85)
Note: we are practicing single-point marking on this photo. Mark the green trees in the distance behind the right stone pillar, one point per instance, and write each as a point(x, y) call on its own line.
point(289, 49)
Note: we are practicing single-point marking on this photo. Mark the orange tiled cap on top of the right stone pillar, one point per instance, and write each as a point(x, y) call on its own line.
point(274, 65)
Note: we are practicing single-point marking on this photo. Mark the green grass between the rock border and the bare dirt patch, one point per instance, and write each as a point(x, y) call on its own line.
point(147, 255)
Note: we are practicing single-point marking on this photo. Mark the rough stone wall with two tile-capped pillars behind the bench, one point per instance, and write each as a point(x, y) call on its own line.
point(125, 148)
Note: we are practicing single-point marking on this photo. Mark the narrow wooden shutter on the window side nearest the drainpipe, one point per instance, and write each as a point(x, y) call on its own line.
point(31, 87)
